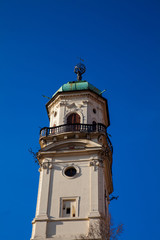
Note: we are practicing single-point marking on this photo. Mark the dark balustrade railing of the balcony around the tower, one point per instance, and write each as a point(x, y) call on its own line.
point(75, 127)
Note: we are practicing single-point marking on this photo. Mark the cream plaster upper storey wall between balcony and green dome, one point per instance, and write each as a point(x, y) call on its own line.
point(82, 103)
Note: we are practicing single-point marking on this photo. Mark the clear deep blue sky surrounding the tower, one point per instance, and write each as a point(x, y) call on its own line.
point(39, 45)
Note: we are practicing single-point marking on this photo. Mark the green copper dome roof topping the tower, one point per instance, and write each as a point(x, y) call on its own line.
point(78, 86)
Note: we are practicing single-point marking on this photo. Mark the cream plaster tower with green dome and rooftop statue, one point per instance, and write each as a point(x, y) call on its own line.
point(75, 162)
